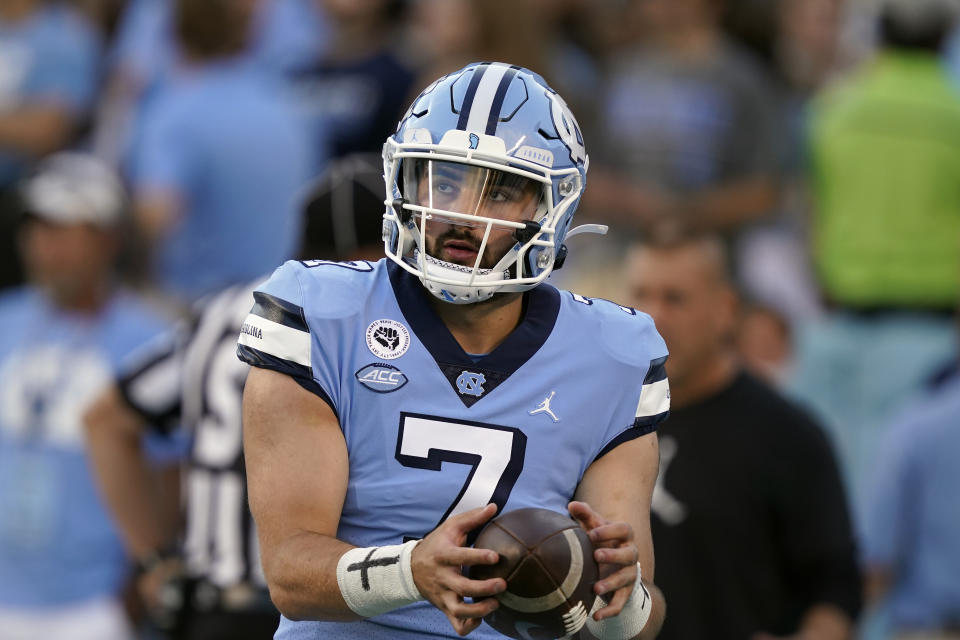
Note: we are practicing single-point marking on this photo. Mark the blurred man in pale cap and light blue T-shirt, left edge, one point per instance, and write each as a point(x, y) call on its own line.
point(61, 563)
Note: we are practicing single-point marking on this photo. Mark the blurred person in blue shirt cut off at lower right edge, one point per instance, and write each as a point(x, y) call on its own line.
point(912, 538)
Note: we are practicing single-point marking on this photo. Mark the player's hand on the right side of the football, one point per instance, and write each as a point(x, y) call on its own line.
point(616, 553)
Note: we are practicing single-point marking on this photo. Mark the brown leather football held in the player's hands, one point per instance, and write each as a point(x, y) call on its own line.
point(547, 560)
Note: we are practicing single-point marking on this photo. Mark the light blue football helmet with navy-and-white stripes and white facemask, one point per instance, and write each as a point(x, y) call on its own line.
point(482, 179)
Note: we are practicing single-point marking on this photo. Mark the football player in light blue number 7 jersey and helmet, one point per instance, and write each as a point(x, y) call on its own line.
point(394, 407)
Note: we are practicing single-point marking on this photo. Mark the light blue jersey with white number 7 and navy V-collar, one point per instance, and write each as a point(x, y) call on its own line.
point(432, 431)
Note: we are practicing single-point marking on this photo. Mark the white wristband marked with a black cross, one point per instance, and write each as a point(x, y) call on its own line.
point(374, 580)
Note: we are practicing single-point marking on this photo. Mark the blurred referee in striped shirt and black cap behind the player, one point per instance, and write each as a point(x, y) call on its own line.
point(207, 583)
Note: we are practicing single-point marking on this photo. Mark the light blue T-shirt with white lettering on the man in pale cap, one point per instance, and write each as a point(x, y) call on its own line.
point(57, 544)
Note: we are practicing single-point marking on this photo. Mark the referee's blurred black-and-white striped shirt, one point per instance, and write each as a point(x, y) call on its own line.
point(193, 381)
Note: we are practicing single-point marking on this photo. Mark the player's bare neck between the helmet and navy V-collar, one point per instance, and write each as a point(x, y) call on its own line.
point(482, 326)
